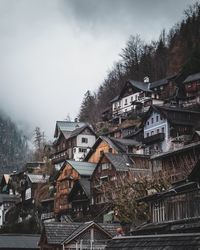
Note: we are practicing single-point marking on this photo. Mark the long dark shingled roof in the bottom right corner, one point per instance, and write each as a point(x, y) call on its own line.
point(156, 242)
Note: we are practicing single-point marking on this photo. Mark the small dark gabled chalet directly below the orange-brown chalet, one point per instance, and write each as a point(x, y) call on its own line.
point(79, 198)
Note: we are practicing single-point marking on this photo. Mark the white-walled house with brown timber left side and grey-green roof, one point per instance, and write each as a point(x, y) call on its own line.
point(72, 141)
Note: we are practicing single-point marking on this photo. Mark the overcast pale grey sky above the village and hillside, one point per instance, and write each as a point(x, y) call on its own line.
point(53, 51)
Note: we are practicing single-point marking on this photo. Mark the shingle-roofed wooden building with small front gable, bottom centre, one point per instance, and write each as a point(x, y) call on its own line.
point(88, 235)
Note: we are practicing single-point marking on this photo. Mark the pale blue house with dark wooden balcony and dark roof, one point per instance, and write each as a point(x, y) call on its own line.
point(166, 128)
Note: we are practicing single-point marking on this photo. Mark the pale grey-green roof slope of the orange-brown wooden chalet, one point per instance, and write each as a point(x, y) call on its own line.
point(82, 167)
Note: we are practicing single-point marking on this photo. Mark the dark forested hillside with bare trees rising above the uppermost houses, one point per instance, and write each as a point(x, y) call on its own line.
point(177, 51)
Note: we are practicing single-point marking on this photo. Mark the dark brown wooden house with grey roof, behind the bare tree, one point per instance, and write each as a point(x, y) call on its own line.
point(111, 170)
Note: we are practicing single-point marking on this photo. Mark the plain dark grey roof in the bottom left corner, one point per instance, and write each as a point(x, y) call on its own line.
point(19, 241)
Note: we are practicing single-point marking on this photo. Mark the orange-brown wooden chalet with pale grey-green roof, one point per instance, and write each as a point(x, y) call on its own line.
point(70, 172)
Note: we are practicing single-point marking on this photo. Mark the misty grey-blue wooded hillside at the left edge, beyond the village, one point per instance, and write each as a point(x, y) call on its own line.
point(13, 145)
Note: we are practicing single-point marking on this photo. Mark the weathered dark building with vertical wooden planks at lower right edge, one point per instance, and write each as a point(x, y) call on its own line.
point(177, 209)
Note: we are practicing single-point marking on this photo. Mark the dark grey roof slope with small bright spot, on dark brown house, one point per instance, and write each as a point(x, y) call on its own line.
point(119, 161)
